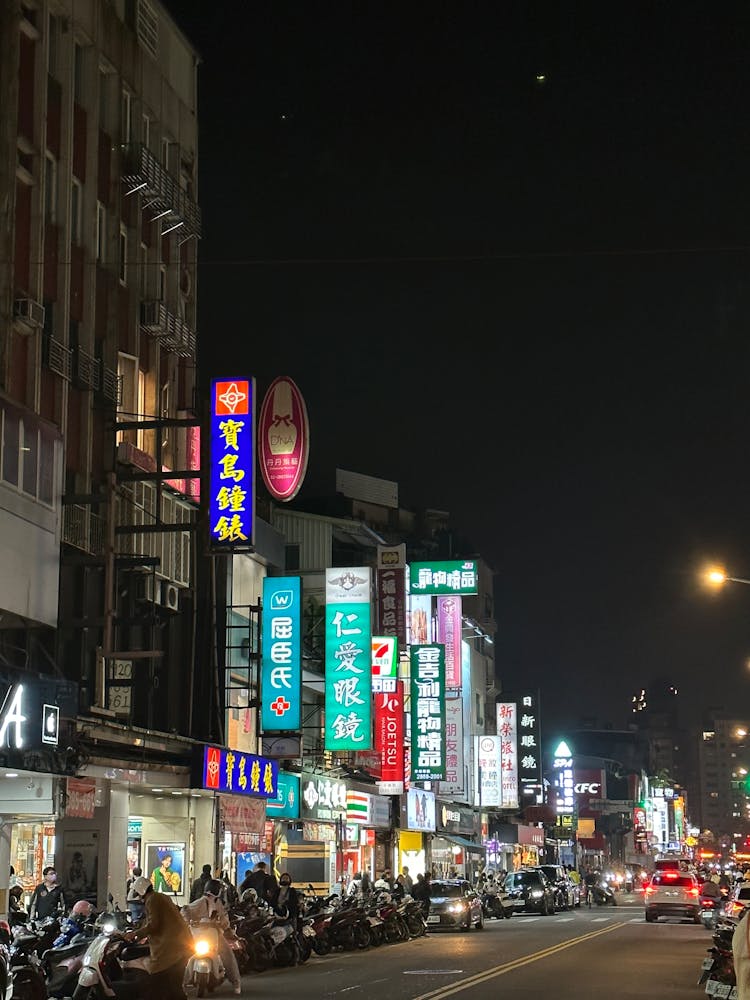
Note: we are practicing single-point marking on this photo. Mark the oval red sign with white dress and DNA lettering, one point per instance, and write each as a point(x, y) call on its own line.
point(283, 439)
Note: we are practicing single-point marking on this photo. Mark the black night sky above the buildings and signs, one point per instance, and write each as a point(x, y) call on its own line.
point(526, 302)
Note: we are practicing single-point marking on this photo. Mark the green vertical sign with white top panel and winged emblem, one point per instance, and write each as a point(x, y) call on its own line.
point(348, 651)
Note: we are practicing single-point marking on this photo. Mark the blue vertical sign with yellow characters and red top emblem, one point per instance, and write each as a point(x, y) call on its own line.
point(232, 464)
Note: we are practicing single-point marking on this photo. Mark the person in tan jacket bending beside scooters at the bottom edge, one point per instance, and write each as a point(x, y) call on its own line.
point(170, 941)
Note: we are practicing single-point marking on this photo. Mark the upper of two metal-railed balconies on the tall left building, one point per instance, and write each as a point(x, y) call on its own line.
point(161, 192)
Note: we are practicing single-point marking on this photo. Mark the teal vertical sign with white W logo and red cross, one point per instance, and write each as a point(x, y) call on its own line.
point(281, 654)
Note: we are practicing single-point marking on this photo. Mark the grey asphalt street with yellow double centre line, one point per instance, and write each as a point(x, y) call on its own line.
point(610, 953)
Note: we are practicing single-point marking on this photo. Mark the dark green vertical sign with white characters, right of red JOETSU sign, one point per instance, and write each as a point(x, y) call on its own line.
point(428, 712)
